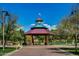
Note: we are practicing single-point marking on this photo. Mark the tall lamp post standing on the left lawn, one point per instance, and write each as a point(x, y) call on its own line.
point(4, 14)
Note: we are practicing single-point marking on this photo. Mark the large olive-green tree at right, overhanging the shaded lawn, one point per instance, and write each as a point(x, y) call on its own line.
point(70, 25)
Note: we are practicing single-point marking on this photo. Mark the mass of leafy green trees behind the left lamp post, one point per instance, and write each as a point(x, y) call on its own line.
point(11, 34)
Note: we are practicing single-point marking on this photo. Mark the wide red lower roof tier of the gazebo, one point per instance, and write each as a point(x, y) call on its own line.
point(38, 31)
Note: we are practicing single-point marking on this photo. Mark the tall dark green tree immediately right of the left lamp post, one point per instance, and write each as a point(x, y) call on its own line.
point(10, 27)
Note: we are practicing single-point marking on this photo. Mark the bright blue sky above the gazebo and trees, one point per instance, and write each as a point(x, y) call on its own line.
point(51, 13)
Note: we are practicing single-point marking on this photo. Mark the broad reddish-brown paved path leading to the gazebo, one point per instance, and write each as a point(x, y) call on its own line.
point(39, 51)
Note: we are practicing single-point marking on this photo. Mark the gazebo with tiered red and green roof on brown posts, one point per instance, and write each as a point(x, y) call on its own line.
point(39, 29)
